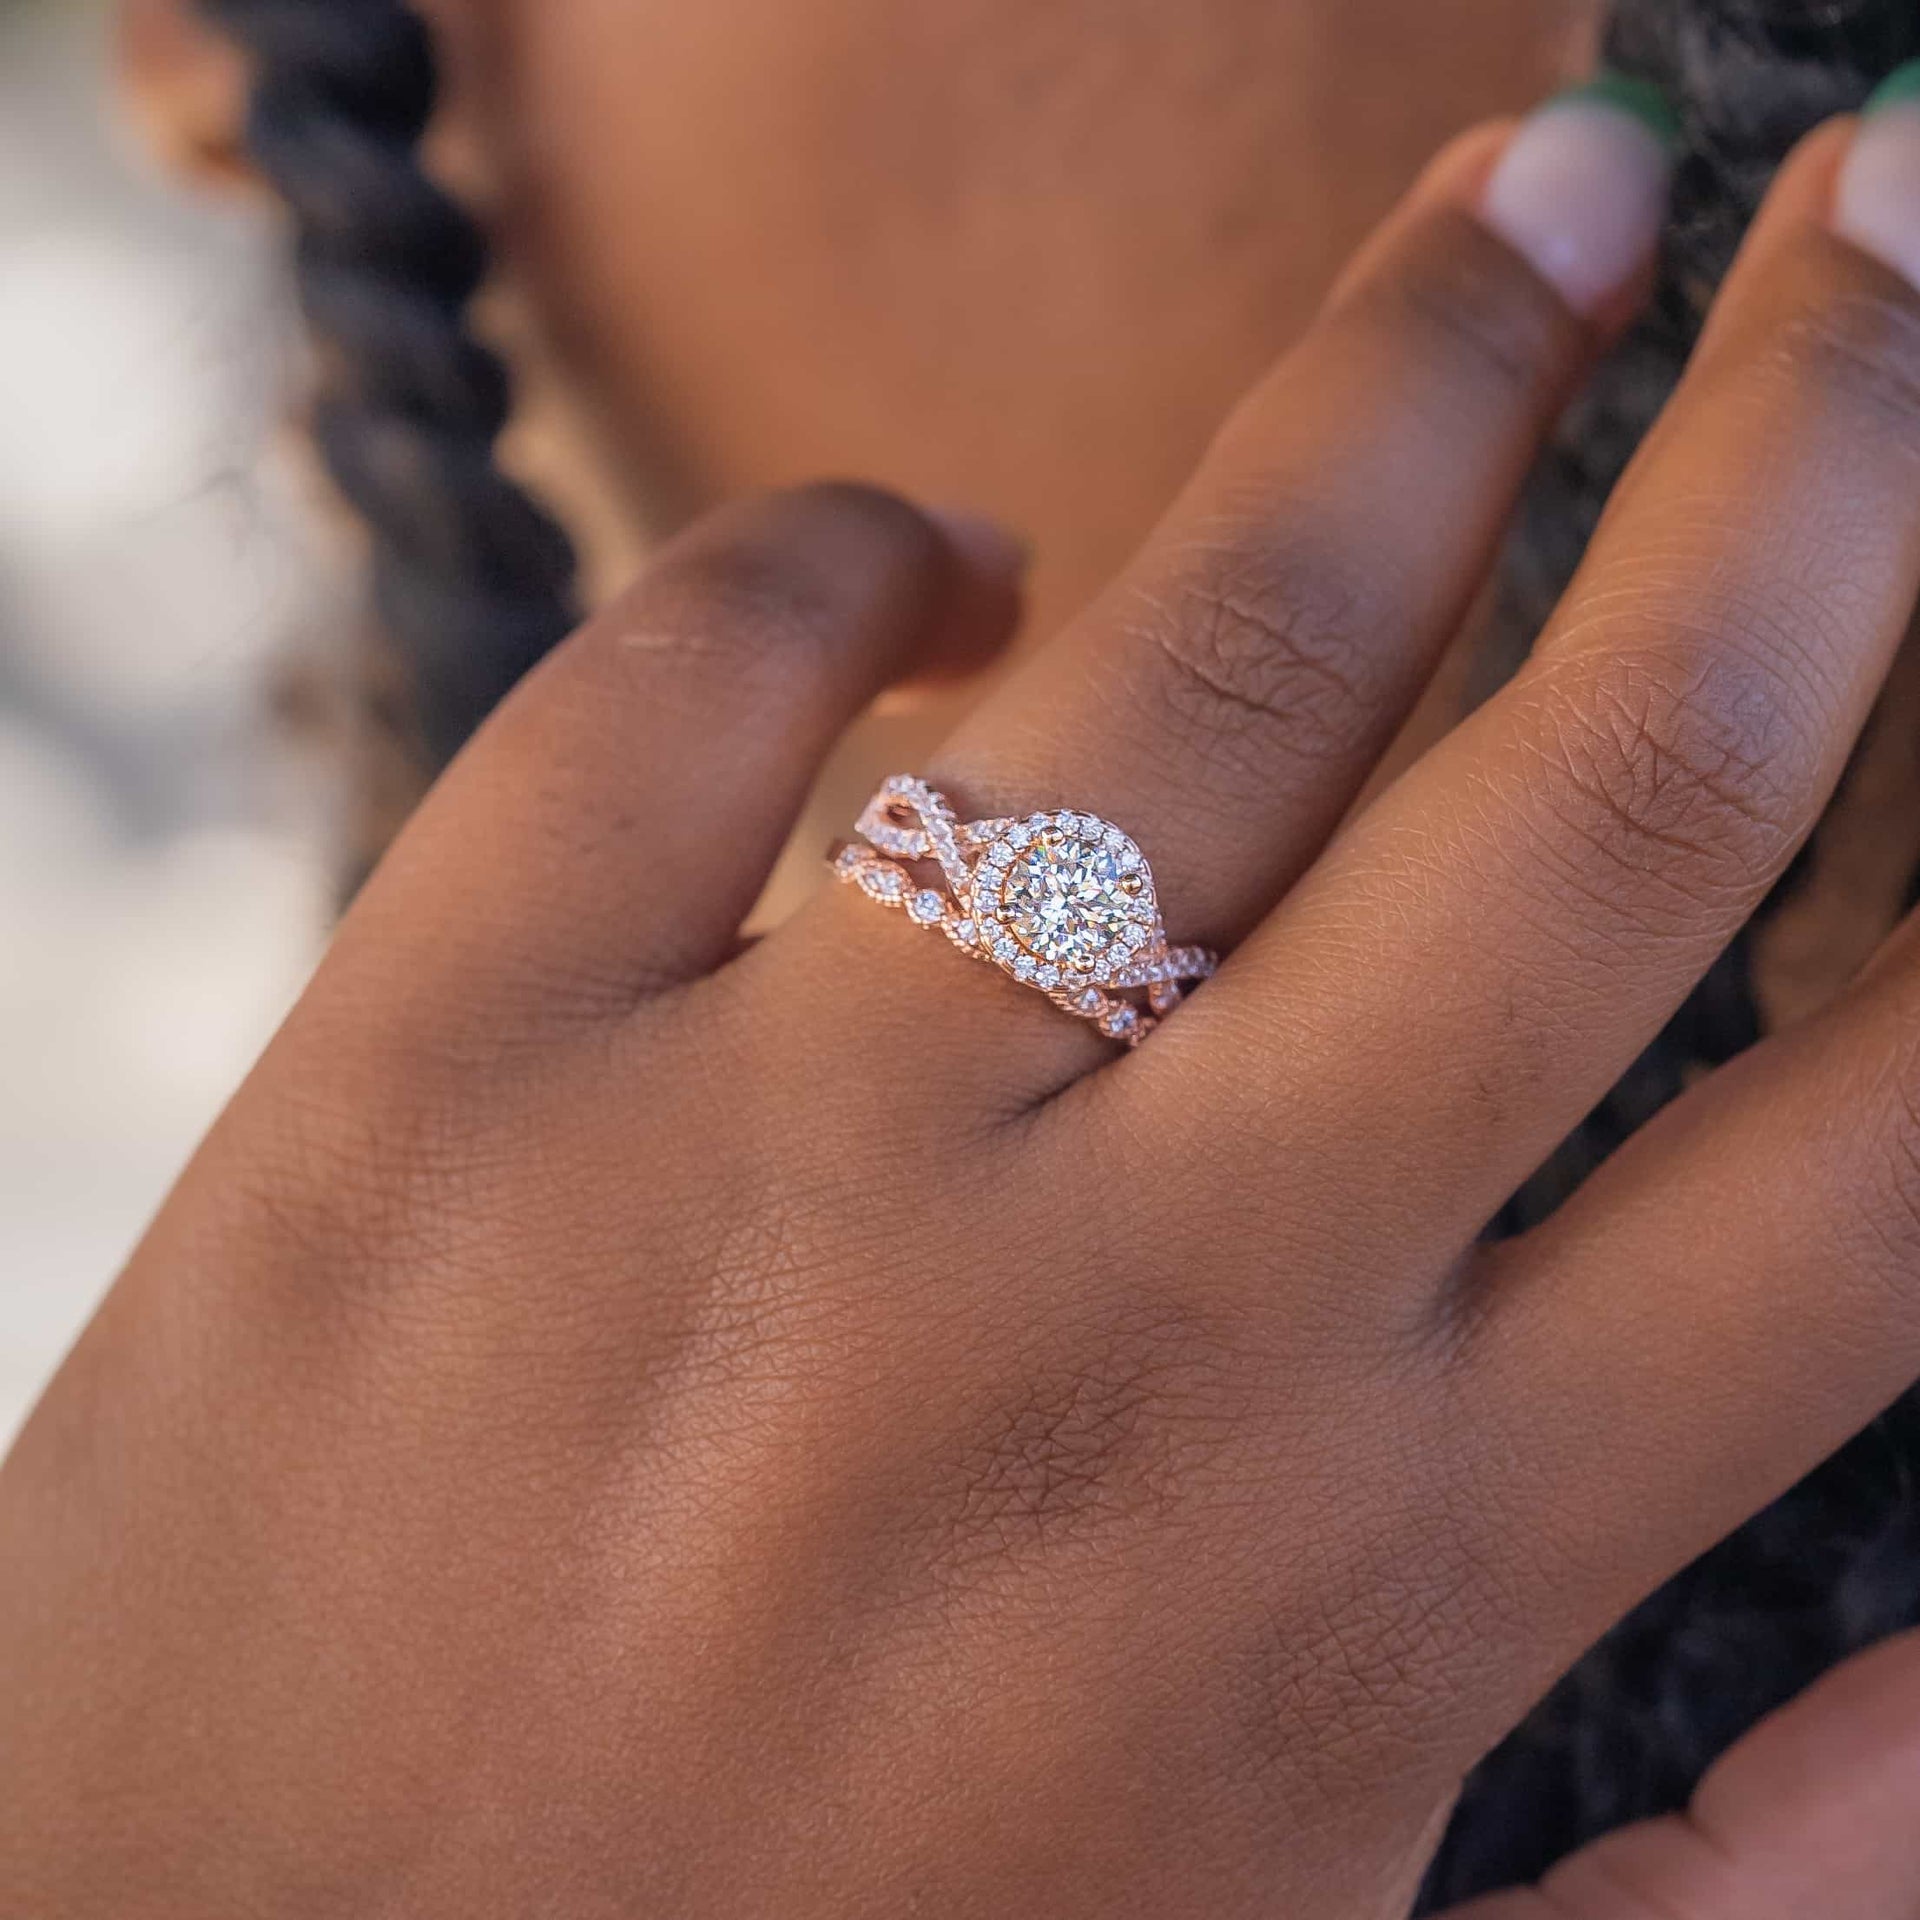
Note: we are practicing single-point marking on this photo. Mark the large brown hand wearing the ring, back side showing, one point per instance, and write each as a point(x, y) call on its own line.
point(612, 1426)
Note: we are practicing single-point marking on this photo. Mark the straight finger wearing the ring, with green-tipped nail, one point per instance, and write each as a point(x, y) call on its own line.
point(1228, 698)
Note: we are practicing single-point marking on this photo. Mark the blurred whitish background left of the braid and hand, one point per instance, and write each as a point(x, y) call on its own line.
point(166, 852)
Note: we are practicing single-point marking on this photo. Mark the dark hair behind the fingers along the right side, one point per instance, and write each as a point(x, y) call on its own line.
point(1836, 1564)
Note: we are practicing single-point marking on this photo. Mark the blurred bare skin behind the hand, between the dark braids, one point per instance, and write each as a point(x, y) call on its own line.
point(1005, 254)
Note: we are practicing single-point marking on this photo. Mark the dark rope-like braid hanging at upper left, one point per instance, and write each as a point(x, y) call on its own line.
point(471, 581)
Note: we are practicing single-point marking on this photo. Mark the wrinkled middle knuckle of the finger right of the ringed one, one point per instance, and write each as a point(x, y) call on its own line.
point(1692, 769)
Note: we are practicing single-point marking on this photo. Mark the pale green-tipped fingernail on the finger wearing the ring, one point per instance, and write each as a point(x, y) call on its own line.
point(1581, 189)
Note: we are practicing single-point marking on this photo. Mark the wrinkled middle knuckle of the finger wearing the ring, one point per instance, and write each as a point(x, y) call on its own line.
point(1260, 644)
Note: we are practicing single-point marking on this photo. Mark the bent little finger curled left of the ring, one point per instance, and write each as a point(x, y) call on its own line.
point(612, 827)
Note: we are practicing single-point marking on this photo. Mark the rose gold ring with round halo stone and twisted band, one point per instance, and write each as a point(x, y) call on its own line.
point(1061, 901)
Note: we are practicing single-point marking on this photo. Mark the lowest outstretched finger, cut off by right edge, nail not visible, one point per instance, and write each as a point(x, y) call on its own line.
point(1725, 1303)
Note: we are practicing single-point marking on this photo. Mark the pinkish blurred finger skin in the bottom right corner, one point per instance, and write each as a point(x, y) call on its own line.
point(1813, 1817)
